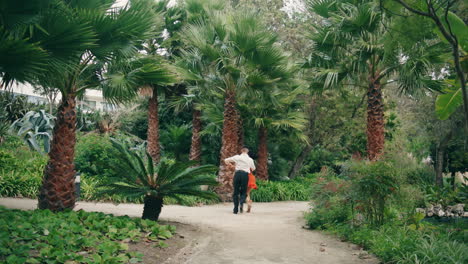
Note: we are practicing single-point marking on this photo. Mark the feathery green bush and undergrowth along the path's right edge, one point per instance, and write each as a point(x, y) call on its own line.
point(372, 204)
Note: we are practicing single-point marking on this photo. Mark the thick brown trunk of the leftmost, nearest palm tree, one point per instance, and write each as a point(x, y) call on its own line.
point(58, 186)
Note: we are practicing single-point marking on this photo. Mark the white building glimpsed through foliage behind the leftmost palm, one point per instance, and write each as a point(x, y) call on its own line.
point(93, 99)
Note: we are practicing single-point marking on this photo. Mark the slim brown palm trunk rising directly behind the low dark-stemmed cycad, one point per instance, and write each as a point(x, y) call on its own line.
point(153, 127)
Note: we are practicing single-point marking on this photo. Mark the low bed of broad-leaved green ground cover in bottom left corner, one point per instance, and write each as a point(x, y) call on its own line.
point(41, 236)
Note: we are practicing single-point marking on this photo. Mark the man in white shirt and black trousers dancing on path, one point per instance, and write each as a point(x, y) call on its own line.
point(243, 165)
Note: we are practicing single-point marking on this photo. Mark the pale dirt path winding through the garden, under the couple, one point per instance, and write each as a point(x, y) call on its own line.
point(272, 233)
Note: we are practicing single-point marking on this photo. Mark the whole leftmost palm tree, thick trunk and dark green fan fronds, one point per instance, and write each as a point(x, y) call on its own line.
point(79, 39)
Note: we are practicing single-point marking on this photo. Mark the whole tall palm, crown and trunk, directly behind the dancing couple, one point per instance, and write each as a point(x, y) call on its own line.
point(231, 44)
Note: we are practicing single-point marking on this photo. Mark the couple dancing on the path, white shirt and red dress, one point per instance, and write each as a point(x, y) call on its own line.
point(244, 180)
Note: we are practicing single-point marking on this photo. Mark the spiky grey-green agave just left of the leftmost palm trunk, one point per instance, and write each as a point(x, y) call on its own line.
point(35, 127)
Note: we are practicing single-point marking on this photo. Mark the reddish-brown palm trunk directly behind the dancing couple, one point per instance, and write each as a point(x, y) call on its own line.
point(229, 145)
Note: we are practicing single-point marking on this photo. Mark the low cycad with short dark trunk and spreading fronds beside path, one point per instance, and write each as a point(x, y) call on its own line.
point(139, 176)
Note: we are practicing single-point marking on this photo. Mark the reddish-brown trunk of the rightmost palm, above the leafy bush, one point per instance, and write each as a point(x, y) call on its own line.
point(375, 119)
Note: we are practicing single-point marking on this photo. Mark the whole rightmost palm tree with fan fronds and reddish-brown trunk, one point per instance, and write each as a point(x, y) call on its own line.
point(354, 47)
